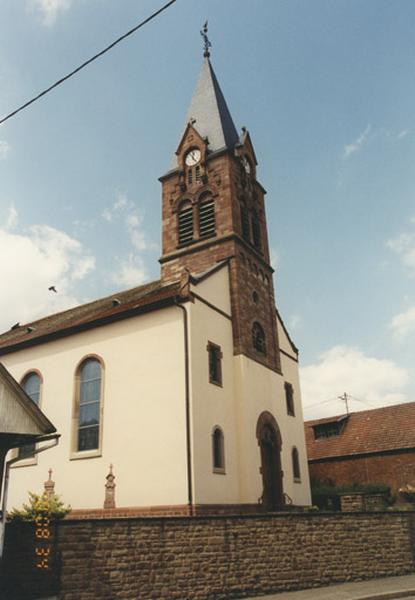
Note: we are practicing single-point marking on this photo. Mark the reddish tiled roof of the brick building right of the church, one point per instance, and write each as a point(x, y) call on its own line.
point(377, 430)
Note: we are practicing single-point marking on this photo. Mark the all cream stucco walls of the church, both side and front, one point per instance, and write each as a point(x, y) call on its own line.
point(144, 412)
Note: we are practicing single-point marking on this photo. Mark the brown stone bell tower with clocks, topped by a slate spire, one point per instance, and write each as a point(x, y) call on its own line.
point(213, 210)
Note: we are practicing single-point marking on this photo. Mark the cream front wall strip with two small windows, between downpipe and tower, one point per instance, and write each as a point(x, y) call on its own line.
point(212, 405)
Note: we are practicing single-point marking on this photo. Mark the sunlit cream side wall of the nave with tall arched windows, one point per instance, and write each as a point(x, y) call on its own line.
point(143, 413)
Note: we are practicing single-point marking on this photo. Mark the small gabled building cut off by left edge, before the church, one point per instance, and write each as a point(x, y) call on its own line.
point(22, 425)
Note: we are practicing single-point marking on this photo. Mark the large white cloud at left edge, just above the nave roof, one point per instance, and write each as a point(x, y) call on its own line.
point(36, 259)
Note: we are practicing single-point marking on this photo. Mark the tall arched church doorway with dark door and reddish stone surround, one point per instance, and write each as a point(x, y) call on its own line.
point(269, 441)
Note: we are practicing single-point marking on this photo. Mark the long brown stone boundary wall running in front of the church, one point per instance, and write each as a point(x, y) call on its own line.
point(207, 558)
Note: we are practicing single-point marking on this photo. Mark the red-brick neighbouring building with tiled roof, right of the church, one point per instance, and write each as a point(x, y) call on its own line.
point(372, 446)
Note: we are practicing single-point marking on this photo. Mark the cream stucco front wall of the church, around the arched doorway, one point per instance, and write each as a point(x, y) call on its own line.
point(248, 389)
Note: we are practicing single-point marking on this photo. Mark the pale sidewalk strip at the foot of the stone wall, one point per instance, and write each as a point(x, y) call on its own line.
point(387, 588)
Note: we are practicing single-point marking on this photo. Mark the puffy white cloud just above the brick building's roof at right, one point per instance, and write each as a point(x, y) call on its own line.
point(375, 382)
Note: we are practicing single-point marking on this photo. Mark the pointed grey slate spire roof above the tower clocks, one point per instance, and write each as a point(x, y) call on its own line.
point(209, 112)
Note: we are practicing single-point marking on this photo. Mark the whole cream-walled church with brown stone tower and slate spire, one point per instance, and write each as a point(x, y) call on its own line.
point(187, 386)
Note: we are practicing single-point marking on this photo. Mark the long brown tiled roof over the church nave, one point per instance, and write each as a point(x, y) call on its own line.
point(98, 312)
